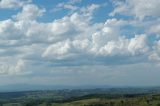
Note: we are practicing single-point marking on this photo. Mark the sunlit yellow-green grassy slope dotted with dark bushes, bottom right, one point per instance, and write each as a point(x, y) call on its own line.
point(149, 100)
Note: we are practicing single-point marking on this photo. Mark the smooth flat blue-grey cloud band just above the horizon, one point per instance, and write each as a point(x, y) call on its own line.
point(92, 75)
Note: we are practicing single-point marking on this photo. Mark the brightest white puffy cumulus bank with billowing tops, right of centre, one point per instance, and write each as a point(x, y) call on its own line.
point(105, 41)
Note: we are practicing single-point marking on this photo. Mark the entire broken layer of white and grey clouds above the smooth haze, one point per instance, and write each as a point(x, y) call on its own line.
point(29, 46)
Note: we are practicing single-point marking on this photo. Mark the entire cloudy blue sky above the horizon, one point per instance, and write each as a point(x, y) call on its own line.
point(80, 42)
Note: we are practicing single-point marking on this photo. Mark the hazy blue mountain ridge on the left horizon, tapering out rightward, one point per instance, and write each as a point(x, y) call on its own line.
point(27, 87)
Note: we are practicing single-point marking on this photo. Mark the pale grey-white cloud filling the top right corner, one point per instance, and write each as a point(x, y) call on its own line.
point(138, 8)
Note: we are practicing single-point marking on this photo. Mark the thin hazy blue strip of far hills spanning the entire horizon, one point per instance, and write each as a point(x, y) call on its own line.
point(27, 87)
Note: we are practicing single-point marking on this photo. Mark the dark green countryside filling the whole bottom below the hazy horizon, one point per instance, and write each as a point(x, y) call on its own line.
point(88, 97)
